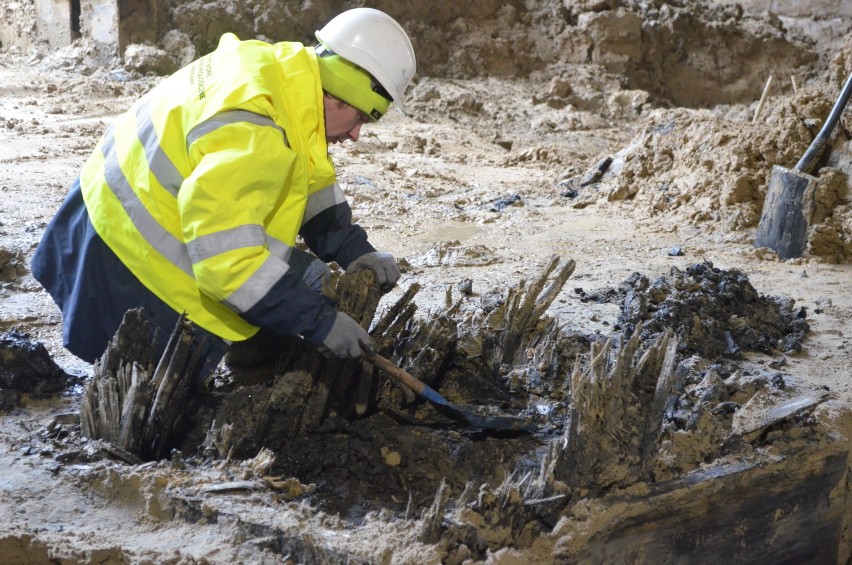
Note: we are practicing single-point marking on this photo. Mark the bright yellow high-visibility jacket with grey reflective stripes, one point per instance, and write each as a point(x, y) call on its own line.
point(202, 187)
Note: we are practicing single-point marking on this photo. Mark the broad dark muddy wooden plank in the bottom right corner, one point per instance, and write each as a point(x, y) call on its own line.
point(783, 511)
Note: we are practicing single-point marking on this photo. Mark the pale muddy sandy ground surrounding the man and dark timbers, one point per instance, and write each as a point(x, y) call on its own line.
point(478, 164)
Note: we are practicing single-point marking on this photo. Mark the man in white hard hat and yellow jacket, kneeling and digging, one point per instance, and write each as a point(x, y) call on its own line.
point(193, 199)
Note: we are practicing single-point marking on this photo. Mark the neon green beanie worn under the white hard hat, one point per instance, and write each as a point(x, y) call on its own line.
point(351, 83)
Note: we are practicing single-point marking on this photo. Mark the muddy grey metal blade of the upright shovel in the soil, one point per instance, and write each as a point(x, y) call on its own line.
point(786, 212)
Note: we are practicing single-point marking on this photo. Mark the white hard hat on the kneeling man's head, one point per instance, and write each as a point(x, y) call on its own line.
point(375, 42)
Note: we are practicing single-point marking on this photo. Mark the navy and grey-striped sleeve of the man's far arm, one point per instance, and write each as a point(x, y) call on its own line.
point(328, 229)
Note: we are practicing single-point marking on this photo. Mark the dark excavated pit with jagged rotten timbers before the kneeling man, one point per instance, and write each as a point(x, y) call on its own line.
point(624, 424)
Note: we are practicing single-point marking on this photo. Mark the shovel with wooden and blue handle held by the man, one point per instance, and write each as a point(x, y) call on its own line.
point(454, 411)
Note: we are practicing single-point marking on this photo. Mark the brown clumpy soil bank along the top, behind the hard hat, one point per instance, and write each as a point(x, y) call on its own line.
point(691, 54)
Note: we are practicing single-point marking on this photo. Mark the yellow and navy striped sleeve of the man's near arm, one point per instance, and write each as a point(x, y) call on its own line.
point(243, 172)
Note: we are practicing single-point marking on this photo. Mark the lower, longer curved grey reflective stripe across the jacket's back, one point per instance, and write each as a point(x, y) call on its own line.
point(165, 243)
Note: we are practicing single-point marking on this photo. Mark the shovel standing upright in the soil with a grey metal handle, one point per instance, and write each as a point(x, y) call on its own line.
point(789, 199)
